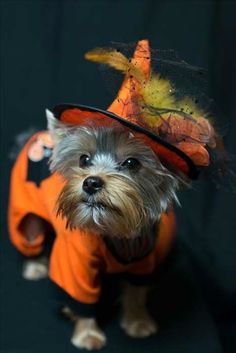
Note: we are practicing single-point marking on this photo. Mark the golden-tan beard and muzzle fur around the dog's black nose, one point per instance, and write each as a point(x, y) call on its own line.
point(117, 210)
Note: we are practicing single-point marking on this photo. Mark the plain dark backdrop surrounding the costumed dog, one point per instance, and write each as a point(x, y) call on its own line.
point(42, 46)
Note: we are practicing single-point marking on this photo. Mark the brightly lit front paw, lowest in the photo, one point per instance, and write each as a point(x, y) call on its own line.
point(88, 335)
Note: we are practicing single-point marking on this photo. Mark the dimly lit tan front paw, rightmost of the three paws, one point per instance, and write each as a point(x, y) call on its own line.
point(140, 327)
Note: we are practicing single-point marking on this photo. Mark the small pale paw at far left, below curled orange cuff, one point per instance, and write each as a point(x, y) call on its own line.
point(34, 270)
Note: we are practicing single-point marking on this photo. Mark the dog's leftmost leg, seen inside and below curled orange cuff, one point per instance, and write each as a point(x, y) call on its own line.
point(31, 227)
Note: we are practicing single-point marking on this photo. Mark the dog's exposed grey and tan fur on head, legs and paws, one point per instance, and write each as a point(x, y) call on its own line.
point(134, 190)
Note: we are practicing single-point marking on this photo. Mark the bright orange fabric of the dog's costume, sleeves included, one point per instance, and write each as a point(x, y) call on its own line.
point(77, 258)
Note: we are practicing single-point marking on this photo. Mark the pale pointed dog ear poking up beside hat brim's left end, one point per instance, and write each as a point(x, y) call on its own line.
point(56, 128)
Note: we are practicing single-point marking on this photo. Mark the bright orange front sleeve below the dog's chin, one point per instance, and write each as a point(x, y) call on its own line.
point(75, 267)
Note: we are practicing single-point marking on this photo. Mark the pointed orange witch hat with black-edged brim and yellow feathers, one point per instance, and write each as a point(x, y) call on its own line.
point(176, 130)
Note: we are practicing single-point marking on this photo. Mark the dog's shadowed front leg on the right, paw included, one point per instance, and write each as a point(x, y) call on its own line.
point(136, 321)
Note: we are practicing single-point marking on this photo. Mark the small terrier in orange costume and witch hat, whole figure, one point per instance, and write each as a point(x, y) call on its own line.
point(109, 192)
